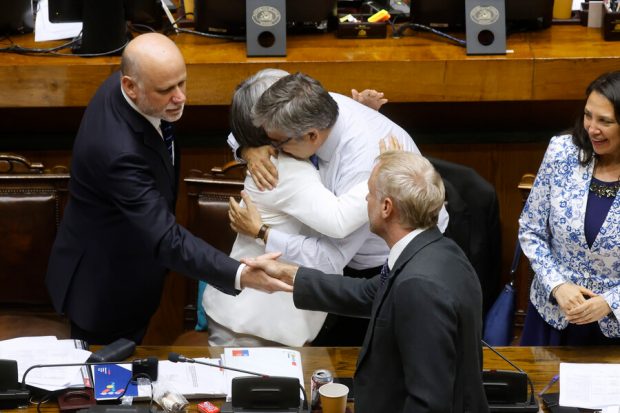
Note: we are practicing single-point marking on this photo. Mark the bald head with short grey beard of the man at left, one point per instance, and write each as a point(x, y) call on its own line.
point(153, 76)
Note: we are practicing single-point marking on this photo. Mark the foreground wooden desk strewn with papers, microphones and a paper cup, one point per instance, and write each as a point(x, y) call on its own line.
point(541, 363)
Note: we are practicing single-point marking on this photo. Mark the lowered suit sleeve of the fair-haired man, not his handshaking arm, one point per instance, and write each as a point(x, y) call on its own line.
point(427, 324)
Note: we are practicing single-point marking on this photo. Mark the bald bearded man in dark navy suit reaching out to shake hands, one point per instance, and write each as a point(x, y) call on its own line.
point(118, 236)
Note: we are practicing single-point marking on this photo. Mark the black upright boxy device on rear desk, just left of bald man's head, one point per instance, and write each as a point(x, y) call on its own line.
point(104, 29)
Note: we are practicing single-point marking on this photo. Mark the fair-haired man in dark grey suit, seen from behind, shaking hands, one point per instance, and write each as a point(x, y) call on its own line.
point(422, 351)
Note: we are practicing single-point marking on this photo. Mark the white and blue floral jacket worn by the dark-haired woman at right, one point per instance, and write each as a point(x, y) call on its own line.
point(551, 233)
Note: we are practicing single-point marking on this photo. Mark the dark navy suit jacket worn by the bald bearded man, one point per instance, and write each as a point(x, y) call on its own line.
point(118, 236)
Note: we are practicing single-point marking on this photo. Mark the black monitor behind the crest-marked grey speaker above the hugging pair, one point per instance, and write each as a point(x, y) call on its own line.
point(228, 16)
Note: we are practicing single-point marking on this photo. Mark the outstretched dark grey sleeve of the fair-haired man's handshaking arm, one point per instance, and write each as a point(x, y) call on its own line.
point(314, 290)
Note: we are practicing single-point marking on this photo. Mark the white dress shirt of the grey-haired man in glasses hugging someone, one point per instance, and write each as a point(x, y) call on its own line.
point(346, 159)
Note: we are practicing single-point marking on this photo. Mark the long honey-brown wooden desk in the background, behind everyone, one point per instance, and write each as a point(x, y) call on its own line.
point(553, 64)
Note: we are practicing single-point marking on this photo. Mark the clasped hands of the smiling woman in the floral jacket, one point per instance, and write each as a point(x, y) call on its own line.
point(579, 304)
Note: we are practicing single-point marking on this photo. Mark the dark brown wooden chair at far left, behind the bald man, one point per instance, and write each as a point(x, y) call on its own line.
point(32, 200)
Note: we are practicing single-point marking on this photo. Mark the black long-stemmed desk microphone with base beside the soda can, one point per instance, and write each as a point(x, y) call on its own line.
point(262, 392)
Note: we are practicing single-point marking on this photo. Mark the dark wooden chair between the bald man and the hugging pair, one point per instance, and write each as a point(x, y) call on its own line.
point(208, 195)
